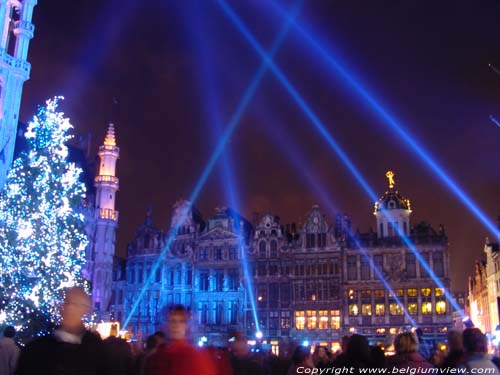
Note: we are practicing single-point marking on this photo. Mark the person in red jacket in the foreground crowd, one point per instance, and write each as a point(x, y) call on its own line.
point(179, 357)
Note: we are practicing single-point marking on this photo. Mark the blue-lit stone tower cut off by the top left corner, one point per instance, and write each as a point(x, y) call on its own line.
point(16, 31)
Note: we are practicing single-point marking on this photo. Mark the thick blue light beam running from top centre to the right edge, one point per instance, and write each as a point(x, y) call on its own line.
point(399, 129)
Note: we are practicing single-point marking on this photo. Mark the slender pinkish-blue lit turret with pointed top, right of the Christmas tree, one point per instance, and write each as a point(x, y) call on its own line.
point(106, 184)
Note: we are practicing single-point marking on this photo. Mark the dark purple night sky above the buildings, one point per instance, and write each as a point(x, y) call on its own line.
point(173, 64)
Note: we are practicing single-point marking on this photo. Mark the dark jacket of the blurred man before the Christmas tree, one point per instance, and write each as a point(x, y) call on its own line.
point(50, 355)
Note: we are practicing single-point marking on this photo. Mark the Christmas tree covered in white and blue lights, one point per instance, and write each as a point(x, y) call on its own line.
point(42, 237)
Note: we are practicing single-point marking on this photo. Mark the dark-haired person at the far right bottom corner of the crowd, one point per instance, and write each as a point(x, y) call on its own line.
point(475, 356)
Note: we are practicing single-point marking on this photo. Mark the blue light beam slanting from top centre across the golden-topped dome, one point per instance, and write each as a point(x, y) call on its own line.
point(329, 139)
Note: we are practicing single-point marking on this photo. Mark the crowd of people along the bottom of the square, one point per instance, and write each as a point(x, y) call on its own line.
point(71, 349)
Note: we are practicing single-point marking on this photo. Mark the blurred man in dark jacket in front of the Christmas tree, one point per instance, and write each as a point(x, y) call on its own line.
point(70, 348)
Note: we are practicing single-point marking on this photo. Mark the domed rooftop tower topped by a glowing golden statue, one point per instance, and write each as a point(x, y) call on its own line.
point(392, 211)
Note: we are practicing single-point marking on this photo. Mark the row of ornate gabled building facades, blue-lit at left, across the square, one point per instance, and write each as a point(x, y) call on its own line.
point(314, 283)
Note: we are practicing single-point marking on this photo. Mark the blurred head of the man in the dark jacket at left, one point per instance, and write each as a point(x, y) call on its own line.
point(75, 305)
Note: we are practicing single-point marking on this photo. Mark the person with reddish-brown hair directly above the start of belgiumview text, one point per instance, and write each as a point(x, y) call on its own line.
point(407, 354)
